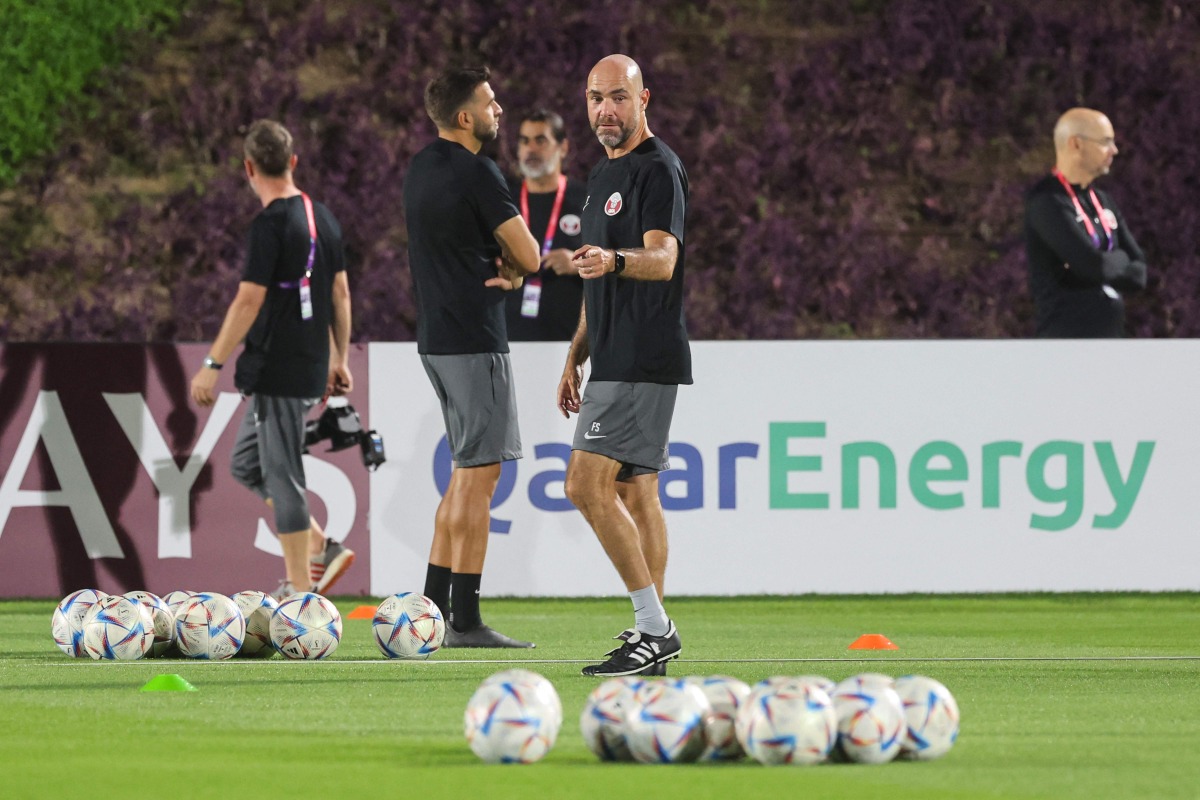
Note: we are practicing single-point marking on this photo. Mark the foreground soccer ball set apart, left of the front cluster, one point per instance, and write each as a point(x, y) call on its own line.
point(513, 718)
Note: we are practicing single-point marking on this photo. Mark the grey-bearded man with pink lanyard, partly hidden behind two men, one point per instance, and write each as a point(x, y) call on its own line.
point(548, 308)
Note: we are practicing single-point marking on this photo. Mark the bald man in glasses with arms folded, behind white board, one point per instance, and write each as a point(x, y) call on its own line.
point(1082, 255)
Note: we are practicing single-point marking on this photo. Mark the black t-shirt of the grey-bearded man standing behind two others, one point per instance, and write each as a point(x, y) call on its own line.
point(559, 310)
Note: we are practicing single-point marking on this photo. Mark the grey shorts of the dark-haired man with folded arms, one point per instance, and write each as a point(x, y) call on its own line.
point(479, 406)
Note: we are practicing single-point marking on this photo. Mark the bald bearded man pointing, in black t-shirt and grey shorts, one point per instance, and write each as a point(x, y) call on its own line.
point(633, 328)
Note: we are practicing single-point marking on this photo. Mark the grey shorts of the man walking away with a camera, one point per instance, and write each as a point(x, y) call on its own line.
point(267, 458)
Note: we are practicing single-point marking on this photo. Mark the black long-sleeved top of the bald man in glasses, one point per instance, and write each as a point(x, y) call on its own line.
point(1078, 285)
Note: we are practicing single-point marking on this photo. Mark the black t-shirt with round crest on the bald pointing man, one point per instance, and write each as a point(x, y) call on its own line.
point(637, 330)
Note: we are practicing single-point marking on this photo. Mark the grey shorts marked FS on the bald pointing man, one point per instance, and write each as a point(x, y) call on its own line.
point(629, 423)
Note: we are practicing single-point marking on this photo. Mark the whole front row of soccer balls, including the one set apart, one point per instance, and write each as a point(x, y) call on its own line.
point(871, 719)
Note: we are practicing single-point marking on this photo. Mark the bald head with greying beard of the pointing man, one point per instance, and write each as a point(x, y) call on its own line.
point(617, 101)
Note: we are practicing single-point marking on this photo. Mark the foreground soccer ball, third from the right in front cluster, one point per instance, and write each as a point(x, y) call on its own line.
point(789, 724)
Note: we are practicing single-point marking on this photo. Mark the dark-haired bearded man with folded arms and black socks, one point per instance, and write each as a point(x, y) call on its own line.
point(467, 248)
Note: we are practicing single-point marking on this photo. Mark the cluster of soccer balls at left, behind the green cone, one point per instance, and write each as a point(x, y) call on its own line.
point(197, 625)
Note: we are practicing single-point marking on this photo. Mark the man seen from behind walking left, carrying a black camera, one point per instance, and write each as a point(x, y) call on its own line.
point(293, 311)
